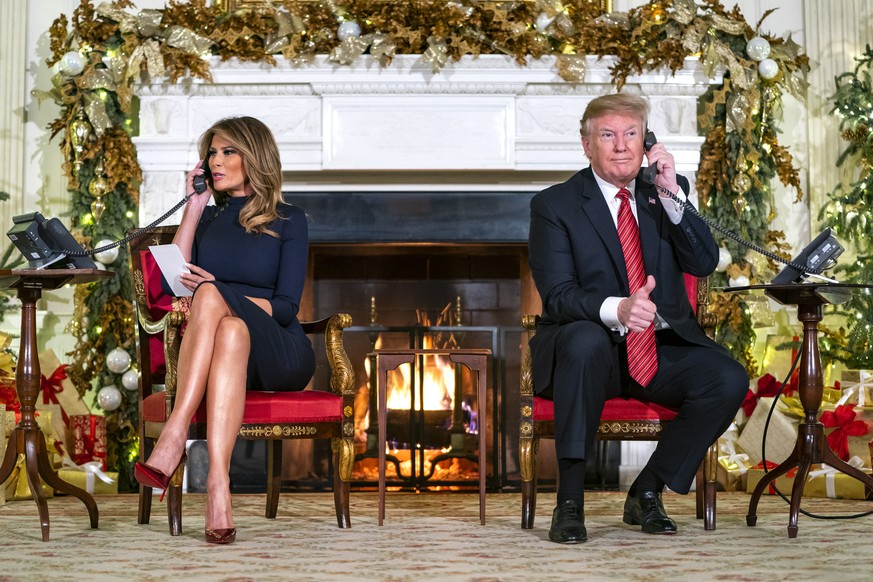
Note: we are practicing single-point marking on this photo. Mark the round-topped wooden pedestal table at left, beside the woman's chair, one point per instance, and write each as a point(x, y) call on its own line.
point(27, 439)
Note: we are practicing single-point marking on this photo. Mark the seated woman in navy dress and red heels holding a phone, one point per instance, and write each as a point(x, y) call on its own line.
point(247, 256)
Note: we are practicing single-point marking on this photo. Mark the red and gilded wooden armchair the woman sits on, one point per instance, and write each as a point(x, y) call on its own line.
point(271, 416)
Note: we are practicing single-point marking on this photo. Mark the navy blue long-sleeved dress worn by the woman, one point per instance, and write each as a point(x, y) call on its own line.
point(260, 265)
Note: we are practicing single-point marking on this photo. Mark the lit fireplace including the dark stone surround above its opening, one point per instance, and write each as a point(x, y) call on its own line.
point(435, 269)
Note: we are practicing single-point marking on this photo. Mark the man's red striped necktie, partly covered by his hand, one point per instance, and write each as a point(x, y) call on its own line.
point(642, 354)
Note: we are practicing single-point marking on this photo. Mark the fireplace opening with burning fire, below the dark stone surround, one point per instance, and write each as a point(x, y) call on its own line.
point(428, 296)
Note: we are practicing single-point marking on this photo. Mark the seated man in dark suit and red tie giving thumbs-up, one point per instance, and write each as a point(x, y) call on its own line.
point(602, 335)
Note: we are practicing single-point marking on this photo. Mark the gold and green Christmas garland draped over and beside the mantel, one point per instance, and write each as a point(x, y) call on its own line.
point(100, 51)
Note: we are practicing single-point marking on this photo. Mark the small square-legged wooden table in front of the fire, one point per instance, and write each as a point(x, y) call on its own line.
point(474, 359)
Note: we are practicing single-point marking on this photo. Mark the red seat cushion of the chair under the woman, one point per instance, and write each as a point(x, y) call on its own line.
point(264, 407)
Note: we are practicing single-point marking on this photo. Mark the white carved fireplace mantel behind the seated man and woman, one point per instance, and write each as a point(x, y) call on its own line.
point(483, 123)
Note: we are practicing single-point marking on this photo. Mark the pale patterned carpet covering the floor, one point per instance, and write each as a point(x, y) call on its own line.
point(432, 535)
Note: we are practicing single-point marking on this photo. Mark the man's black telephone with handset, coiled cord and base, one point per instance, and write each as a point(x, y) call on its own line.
point(818, 255)
